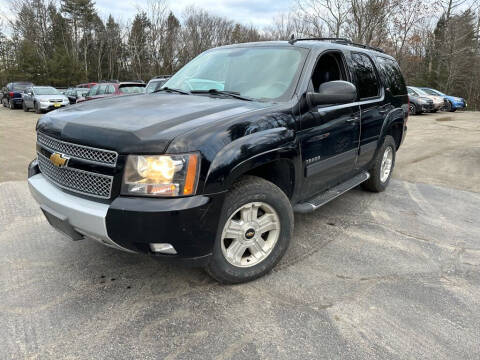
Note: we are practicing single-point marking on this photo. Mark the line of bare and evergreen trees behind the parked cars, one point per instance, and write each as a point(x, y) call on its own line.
point(66, 42)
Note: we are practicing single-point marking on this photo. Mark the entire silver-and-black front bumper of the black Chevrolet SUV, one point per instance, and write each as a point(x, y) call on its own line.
point(132, 223)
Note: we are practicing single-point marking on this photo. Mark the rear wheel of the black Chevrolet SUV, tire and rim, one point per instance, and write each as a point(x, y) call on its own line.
point(381, 171)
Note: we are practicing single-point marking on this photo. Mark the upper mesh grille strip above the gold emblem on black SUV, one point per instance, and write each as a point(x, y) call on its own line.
point(99, 156)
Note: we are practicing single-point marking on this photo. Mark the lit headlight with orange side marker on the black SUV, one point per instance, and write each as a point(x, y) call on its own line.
point(161, 175)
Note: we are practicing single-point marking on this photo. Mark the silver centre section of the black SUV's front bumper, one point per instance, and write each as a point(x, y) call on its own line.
point(86, 217)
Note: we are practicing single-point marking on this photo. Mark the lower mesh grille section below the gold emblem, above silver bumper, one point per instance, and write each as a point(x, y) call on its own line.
point(76, 180)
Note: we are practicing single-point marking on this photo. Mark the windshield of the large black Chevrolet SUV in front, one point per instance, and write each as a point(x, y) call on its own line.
point(255, 72)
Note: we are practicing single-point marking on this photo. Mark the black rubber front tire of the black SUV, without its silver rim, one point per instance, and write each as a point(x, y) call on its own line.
point(251, 189)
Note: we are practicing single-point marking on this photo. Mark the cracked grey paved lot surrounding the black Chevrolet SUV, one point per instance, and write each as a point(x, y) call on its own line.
point(369, 276)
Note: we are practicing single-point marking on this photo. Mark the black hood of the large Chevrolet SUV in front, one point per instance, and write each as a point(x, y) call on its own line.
point(139, 124)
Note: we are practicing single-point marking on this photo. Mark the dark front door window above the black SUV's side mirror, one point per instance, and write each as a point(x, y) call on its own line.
point(330, 67)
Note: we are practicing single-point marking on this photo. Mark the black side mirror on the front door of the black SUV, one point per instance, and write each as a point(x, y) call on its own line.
point(333, 93)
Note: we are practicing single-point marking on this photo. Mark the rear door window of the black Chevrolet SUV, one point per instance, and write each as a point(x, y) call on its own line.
point(367, 82)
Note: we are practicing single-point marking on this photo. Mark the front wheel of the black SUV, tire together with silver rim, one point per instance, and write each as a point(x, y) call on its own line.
point(255, 229)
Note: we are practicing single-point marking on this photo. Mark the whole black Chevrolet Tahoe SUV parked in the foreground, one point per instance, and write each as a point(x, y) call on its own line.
point(210, 168)
